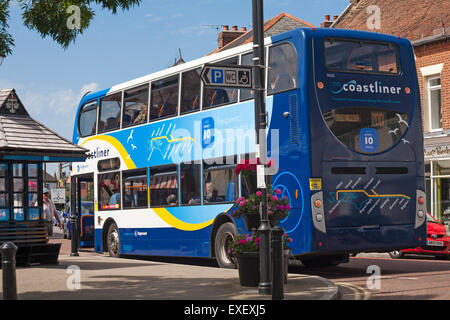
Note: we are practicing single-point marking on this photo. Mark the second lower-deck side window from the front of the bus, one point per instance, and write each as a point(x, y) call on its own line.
point(135, 189)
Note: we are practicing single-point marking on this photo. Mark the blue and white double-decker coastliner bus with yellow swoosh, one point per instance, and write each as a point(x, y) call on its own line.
point(345, 131)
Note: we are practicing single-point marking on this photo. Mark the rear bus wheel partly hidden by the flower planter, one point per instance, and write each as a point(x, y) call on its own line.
point(225, 234)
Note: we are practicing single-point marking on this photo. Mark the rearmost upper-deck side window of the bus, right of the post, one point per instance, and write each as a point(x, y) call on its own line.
point(282, 68)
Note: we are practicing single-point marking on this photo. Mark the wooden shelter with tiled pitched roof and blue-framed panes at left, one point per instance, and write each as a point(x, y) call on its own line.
point(25, 145)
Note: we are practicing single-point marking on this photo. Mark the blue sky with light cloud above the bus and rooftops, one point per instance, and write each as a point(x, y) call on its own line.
point(118, 48)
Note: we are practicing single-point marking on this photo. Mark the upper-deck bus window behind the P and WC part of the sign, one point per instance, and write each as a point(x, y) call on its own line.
point(214, 97)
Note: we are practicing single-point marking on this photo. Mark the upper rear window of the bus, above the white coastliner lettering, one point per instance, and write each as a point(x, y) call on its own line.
point(361, 57)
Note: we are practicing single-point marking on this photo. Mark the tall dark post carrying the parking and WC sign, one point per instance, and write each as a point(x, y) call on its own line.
point(265, 284)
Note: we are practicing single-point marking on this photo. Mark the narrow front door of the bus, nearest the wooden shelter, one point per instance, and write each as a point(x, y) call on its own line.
point(84, 188)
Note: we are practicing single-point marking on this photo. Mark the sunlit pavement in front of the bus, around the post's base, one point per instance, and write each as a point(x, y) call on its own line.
point(93, 276)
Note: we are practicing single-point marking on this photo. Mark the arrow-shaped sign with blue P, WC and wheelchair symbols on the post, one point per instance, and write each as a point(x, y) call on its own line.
point(227, 76)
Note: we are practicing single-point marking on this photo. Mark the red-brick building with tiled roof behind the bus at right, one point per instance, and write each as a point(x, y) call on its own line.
point(426, 23)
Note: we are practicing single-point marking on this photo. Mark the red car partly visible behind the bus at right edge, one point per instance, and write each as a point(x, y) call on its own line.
point(438, 242)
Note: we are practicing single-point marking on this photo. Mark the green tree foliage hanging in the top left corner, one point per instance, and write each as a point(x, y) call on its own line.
point(50, 18)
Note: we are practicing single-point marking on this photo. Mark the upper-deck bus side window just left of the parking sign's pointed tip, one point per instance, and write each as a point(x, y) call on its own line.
point(190, 91)
